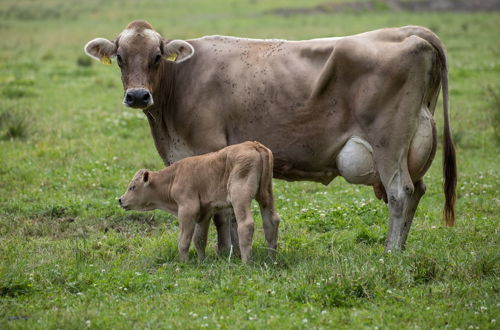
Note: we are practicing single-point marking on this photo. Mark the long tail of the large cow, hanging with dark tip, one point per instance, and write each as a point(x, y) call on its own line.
point(449, 158)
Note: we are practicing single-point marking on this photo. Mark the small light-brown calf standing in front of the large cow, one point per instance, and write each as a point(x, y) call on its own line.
point(194, 188)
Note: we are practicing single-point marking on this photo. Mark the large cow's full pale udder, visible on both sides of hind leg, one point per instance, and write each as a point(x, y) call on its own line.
point(355, 161)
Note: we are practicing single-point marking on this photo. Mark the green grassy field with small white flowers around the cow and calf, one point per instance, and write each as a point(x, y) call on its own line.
point(71, 258)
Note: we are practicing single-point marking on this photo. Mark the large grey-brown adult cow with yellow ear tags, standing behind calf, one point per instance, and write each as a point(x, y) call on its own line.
point(359, 106)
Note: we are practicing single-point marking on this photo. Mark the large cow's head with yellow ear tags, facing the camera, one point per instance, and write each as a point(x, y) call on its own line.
point(141, 54)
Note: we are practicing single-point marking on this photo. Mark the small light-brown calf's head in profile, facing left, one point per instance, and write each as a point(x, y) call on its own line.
point(140, 194)
